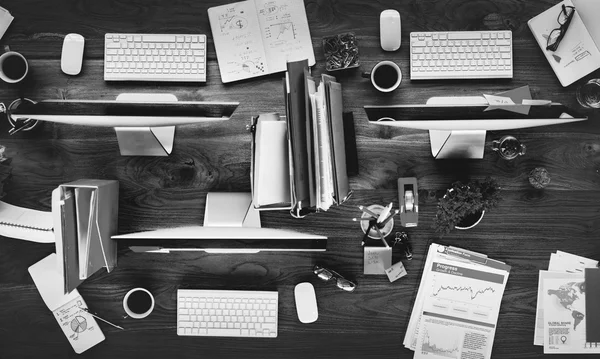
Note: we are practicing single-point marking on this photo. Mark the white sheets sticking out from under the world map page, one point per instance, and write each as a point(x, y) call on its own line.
point(562, 266)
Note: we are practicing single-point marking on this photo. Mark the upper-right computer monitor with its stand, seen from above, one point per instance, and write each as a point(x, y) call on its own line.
point(458, 131)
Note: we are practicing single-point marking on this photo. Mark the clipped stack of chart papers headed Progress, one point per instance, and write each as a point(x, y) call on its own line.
point(457, 305)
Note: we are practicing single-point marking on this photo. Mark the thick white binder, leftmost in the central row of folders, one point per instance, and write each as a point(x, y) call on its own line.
point(270, 163)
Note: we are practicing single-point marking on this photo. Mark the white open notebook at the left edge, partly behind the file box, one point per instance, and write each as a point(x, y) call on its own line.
point(27, 224)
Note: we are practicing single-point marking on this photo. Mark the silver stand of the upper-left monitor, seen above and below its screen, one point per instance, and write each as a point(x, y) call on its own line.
point(146, 141)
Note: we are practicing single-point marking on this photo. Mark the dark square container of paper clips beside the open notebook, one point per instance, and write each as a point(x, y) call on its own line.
point(341, 52)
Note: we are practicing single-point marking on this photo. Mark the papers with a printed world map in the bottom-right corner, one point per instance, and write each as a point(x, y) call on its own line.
point(567, 315)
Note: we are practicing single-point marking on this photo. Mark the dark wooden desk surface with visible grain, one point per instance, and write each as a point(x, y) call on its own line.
point(164, 191)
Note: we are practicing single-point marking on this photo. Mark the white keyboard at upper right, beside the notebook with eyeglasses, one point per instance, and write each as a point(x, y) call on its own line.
point(461, 55)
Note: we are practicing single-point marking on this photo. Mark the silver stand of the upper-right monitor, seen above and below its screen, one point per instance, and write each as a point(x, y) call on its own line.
point(457, 143)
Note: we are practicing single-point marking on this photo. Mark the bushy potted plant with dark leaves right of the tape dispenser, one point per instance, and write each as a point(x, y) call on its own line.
point(464, 205)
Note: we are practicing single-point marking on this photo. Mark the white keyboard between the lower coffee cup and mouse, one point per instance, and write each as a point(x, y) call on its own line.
point(227, 313)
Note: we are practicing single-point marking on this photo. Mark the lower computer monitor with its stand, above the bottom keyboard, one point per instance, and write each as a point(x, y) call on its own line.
point(231, 225)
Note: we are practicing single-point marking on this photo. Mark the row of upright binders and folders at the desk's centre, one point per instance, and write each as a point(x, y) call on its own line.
point(314, 145)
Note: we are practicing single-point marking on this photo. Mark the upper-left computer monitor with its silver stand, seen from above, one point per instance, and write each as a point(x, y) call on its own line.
point(144, 123)
